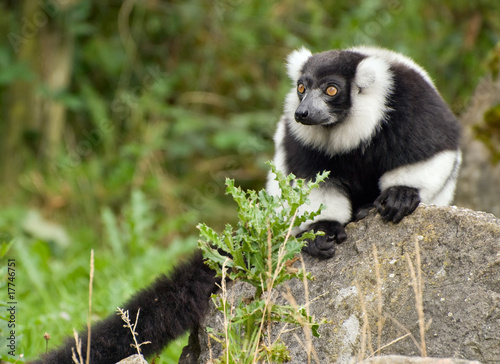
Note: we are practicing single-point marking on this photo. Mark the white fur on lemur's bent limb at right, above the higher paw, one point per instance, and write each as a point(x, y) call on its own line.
point(435, 178)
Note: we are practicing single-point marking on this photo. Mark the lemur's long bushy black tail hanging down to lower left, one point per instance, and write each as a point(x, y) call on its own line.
point(168, 308)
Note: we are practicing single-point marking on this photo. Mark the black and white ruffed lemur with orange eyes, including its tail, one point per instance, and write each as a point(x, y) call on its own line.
point(371, 117)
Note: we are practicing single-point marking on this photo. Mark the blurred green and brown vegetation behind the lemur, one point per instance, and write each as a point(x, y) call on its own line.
point(120, 120)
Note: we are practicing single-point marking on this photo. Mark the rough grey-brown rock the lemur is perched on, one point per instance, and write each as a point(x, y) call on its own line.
point(460, 264)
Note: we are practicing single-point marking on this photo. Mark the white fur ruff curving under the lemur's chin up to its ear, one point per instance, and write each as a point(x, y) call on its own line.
point(372, 86)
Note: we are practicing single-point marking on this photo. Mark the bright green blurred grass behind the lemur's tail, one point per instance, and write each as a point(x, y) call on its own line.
point(52, 280)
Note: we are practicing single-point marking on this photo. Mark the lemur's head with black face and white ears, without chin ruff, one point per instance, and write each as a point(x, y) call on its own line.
point(328, 83)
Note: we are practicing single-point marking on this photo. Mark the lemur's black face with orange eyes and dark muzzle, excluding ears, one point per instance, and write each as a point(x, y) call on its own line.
point(324, 88)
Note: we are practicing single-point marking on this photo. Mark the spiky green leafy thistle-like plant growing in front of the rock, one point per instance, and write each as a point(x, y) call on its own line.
point(259, 251)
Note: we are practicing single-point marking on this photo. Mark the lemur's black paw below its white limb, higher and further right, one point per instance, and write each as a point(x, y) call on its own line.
point(397, 202)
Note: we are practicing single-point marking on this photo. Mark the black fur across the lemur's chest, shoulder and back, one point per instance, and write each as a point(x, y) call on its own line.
point(418, 127)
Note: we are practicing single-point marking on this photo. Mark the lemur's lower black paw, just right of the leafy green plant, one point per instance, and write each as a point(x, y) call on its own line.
point(323, 247)
